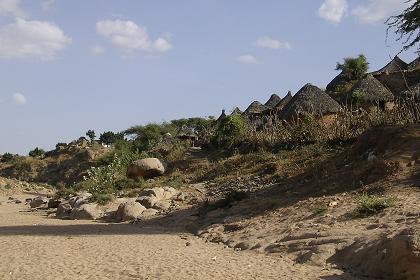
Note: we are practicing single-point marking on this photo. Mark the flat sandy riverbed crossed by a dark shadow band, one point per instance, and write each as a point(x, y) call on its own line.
point(35, 247)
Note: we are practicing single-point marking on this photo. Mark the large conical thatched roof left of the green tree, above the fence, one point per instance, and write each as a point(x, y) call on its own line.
point(310, 100)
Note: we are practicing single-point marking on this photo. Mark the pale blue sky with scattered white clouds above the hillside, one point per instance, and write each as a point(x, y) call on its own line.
point(70, 66)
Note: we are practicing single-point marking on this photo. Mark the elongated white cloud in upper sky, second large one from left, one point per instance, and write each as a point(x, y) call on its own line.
point(130, 37)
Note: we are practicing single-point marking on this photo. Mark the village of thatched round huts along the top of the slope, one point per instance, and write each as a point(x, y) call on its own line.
point(381, 89)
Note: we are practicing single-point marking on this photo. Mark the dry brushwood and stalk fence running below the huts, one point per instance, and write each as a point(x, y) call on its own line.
point(347, 126)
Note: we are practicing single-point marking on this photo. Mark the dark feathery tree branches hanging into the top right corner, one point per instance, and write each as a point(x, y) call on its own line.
point(407, 26)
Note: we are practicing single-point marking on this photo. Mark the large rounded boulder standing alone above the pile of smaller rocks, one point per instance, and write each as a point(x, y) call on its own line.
point(145, 168)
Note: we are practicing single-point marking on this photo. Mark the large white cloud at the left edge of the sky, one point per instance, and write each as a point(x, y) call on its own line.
point(26, 39)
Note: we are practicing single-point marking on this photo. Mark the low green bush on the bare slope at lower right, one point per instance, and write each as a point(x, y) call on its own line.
point(370, 204)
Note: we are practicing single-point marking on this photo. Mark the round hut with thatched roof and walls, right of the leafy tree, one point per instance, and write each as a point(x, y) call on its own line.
point(372, 93)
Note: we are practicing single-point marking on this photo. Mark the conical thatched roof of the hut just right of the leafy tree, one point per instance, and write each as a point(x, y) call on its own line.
point(372, 90)
